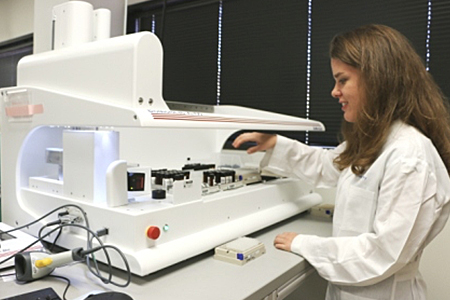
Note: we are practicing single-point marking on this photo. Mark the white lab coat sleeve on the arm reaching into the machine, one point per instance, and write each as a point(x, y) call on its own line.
point(291, 158)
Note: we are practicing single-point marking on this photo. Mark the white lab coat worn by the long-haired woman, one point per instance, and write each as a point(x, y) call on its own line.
point(382, 220)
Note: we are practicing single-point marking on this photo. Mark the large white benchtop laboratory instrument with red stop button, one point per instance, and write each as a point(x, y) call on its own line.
point(87, 121)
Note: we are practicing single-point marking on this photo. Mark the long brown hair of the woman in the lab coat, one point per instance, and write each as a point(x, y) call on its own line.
point(396, 86)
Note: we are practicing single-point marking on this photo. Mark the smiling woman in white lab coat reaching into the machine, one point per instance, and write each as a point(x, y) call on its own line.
point(391, 173)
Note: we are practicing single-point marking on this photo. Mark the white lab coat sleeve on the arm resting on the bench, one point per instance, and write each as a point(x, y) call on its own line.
point(407, 209)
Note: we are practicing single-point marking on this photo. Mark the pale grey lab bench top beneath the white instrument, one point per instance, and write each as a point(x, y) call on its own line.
point(202, 277)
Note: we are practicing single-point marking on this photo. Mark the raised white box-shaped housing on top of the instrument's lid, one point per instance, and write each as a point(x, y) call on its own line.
point(125, 70)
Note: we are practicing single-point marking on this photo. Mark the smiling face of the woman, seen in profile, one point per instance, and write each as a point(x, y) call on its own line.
point(347, 88)
